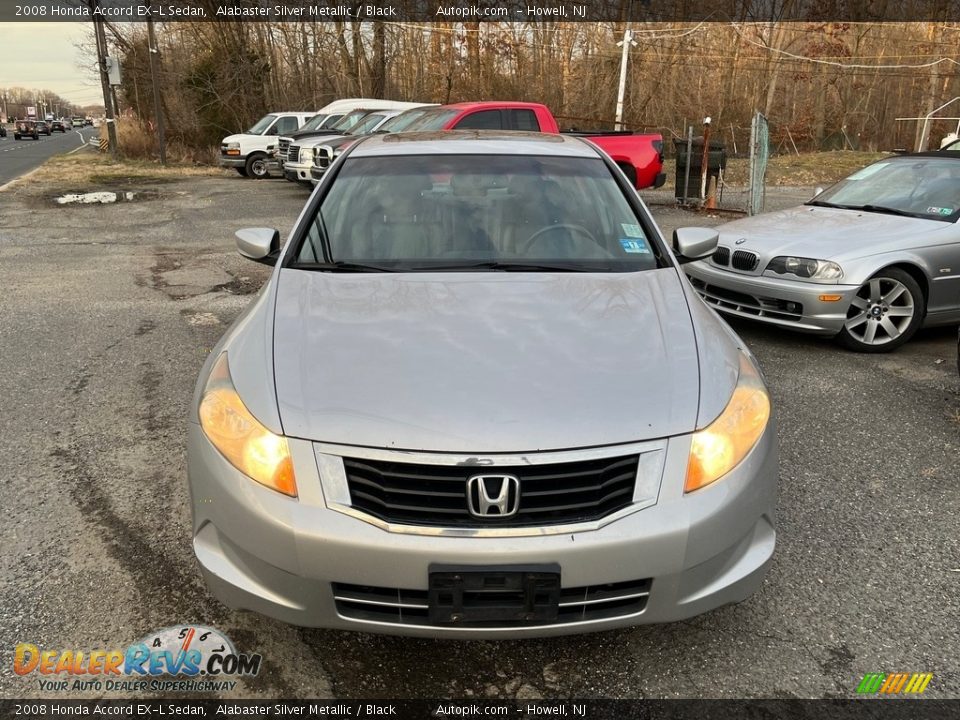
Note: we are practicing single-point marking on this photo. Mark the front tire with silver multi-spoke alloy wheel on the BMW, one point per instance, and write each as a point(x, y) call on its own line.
point(887, 310)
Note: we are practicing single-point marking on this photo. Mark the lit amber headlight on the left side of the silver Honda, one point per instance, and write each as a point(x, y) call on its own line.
point(240, 438)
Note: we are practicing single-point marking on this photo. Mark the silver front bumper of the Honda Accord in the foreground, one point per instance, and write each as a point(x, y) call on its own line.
point(262, 551)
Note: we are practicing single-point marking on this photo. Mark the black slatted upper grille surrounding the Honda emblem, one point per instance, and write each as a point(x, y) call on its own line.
point(436, 495)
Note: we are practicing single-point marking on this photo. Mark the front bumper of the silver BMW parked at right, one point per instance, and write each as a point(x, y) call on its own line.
point(791, 304)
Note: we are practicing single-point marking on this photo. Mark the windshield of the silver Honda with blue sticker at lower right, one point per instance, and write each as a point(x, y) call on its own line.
point(477, 212)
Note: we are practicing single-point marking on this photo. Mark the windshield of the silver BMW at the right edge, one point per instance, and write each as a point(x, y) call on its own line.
point(923, 187)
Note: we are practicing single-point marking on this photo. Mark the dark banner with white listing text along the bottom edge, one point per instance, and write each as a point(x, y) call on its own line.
point(865, 709)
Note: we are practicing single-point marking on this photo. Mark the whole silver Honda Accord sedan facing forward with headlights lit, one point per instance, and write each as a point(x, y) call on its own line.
point(478, 398)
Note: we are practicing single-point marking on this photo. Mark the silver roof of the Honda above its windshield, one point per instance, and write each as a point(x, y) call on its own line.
point(473, 142)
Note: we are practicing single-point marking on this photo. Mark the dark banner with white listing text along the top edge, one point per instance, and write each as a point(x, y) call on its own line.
point(482, 10)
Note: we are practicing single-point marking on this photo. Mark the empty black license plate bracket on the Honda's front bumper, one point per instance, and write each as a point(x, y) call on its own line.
point(510, 595)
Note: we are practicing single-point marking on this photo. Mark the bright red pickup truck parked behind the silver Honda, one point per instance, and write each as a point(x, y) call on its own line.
point(640, 156)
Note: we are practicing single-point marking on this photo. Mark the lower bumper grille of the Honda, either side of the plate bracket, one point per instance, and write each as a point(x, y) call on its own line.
point(398, 606)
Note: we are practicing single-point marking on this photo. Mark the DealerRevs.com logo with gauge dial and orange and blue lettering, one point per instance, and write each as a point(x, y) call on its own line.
point(179, 658)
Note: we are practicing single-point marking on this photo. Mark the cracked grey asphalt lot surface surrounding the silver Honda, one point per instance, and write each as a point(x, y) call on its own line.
point(108, 313)
